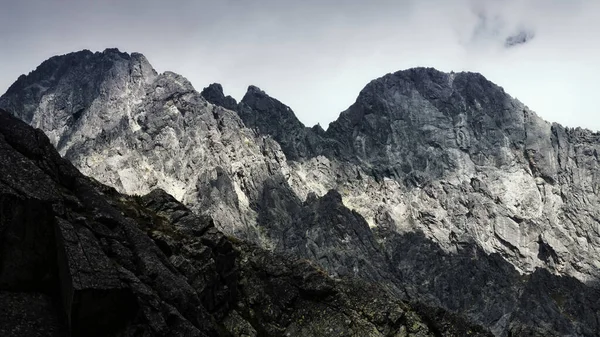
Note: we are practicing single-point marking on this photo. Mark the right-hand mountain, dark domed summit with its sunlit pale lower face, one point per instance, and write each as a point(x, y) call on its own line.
point(454, 156)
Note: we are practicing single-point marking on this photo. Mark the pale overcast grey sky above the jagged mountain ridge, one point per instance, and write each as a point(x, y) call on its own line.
point(315, 56)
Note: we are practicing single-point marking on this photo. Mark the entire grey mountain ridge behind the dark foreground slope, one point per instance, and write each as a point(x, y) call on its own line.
point(440, 187)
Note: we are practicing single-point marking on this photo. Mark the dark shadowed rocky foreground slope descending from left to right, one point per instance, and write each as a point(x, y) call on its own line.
point(78, 258)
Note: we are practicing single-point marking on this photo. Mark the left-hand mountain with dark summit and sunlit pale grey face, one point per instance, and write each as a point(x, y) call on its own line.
point(144, 131)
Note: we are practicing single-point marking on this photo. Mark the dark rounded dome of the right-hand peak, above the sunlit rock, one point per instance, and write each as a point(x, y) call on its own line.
point(423, 122)
